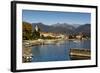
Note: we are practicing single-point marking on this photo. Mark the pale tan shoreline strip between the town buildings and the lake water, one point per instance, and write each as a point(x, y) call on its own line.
point(47, 41)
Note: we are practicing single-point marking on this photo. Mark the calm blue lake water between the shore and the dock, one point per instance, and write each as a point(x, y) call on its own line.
point(58, 51)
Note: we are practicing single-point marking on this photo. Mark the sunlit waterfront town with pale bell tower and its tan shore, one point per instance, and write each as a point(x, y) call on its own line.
point(49, 37)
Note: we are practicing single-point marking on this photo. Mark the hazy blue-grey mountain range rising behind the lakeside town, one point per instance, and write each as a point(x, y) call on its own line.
point(64, 28)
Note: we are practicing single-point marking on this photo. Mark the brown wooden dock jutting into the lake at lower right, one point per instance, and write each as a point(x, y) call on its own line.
point(80, 54)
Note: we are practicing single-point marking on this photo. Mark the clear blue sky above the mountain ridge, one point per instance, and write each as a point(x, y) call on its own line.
point(52, 17)
